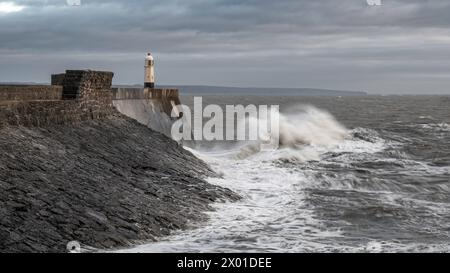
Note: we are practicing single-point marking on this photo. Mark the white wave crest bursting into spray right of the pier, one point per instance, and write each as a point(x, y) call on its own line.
point(306, 132)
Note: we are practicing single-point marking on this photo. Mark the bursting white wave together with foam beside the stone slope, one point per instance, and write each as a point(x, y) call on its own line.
point(272, 215)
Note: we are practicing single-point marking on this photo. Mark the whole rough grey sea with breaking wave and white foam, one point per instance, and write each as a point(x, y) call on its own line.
point(361, 174)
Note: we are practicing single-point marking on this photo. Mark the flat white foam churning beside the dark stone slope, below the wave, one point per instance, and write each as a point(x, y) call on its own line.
point(271, 217)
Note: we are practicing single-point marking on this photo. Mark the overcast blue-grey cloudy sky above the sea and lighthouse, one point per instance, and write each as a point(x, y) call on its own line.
point(400, 47)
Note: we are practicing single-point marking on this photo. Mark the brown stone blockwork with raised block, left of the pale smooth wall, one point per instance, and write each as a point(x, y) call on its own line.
point(86, 95)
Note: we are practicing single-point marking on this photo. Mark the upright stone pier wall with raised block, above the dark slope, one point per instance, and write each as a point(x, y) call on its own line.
point(79, 95)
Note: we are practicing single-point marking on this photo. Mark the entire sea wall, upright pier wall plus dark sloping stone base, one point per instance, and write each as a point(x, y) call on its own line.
point(72, 167)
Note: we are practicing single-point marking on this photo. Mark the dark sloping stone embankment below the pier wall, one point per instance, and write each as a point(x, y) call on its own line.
point(106, 183)
